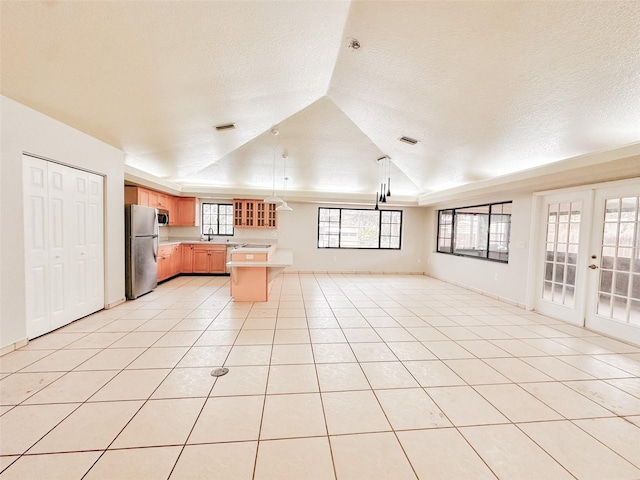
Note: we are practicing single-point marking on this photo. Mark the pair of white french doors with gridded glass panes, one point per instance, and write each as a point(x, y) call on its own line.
point(588, 264)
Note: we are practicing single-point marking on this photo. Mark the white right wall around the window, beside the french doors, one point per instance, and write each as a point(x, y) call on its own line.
point(507, 281)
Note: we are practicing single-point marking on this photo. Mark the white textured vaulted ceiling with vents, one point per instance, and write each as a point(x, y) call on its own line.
point(488, 88)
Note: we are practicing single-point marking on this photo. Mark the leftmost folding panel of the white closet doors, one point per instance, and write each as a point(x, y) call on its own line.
point(36, 231)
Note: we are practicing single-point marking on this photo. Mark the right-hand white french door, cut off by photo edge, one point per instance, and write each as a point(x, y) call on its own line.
point(613, 305)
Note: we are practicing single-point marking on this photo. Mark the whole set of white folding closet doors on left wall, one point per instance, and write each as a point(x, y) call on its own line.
point(72, 261)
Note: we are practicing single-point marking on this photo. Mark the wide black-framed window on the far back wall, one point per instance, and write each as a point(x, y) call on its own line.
point(353, 228)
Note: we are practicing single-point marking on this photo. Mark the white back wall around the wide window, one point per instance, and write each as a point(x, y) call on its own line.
point(299, 230)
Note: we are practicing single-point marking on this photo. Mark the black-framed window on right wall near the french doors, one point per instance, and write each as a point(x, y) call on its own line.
point(481, 231)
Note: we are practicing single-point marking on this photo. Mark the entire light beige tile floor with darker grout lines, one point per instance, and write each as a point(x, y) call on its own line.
point(337, 376)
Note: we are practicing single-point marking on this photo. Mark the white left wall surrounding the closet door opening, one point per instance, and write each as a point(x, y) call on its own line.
point(24, 130)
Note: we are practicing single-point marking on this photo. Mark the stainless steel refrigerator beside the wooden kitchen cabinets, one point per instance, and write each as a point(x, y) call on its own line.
point(141, 250)
